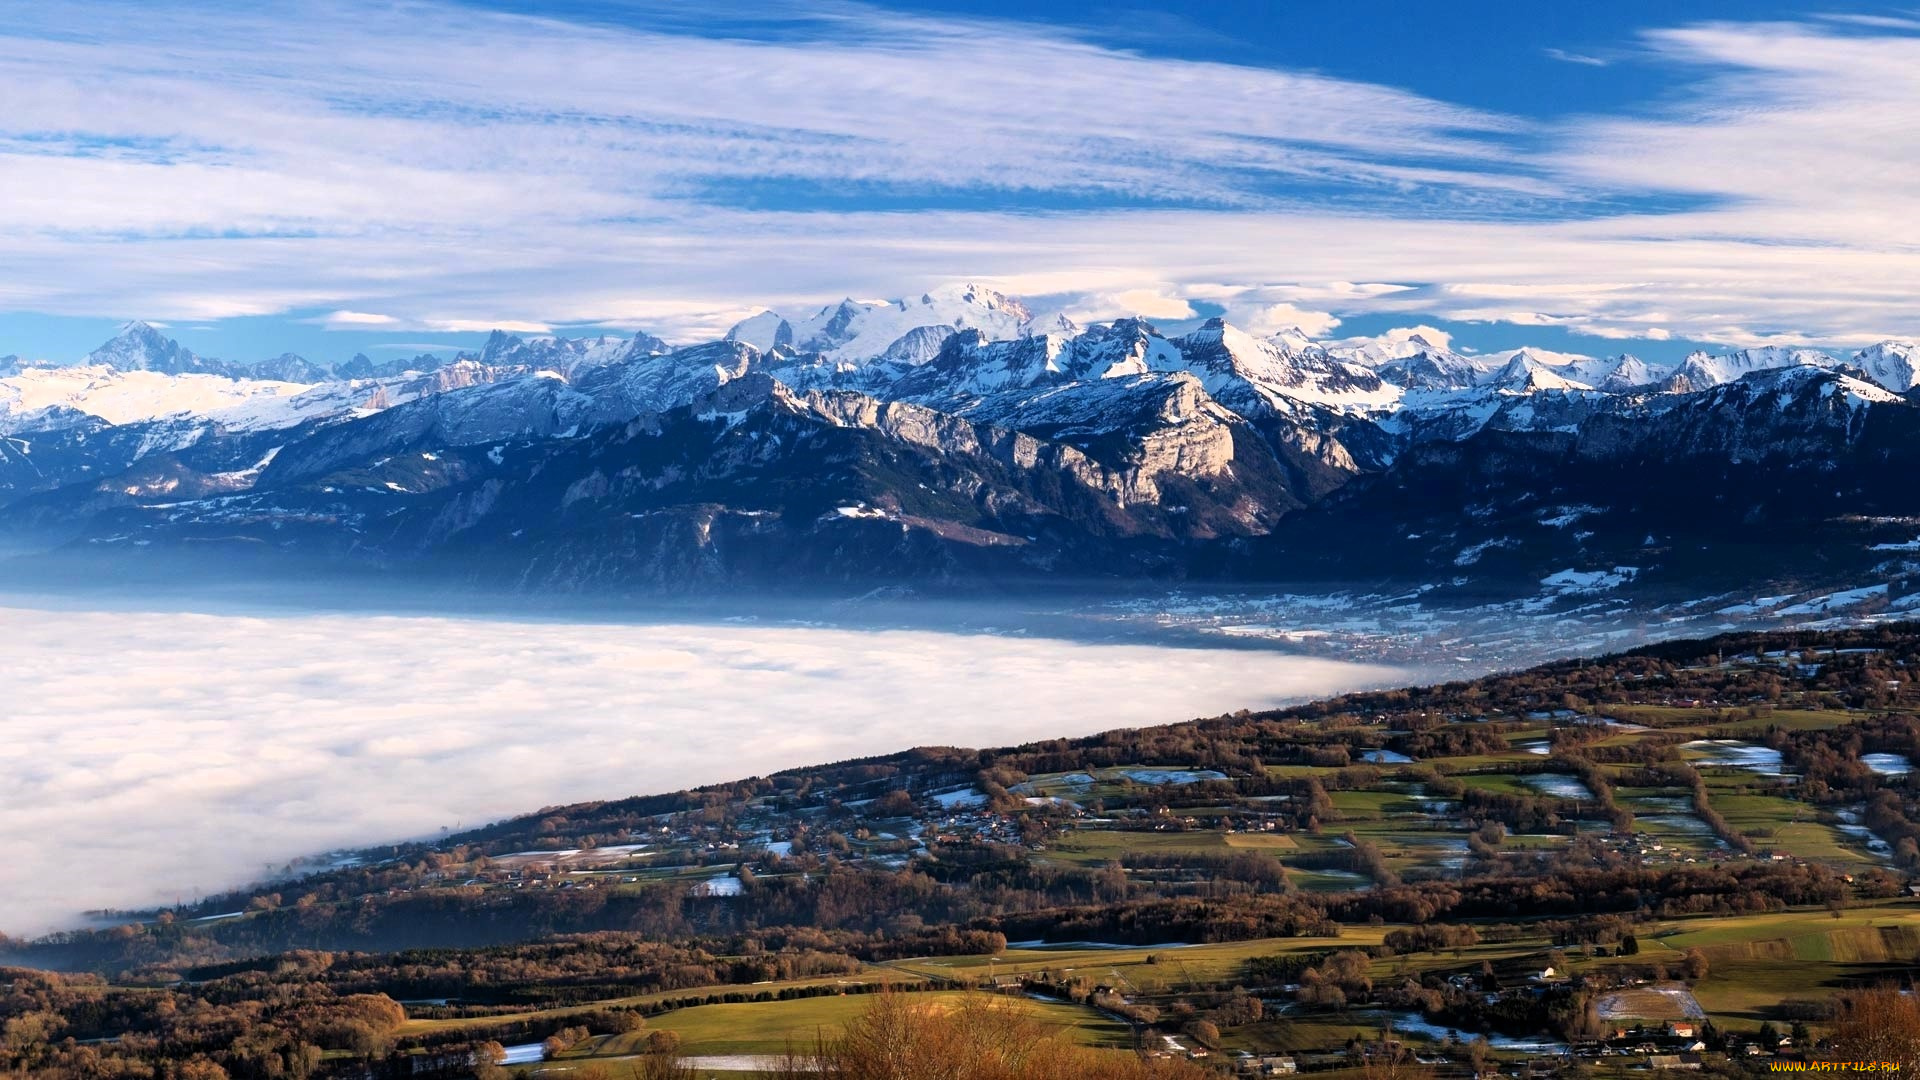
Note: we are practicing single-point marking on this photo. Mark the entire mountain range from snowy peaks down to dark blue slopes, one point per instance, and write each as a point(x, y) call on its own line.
point(951, 437)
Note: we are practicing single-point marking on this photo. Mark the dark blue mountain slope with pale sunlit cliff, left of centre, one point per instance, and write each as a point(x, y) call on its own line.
point(750, 483)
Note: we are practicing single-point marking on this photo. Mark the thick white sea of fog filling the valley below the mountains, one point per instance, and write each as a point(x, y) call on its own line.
point(156, 756)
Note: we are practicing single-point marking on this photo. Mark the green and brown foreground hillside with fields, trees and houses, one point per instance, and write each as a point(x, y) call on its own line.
point(1694, 854)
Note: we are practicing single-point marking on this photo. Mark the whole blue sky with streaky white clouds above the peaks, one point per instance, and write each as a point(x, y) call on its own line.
point(352, 176)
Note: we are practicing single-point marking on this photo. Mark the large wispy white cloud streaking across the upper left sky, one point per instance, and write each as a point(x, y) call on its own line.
point(327, 118)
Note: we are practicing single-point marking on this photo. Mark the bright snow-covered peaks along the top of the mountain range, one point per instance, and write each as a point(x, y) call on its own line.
point(984, 341)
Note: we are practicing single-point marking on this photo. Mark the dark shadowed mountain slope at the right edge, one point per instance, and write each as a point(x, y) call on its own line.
point(1787, 476)
